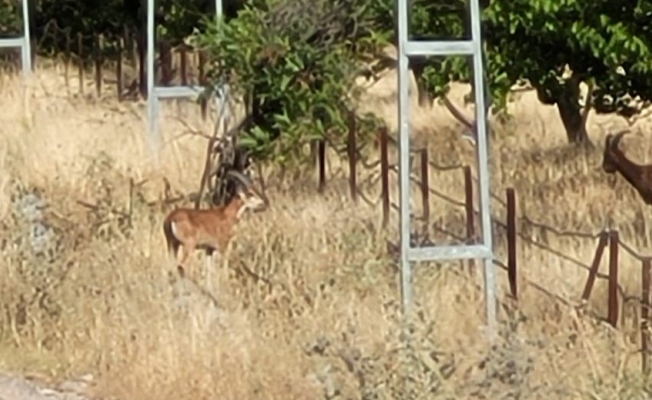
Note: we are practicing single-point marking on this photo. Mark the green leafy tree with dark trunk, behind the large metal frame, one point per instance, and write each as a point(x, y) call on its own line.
point(555, 46)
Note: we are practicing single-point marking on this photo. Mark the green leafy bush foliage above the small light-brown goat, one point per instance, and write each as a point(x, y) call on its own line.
point(294, 69)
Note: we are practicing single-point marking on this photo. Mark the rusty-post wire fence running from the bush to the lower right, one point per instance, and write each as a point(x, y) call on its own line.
point(606, 241)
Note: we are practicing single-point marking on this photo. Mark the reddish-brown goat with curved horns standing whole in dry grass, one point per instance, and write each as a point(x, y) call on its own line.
point(210, 229)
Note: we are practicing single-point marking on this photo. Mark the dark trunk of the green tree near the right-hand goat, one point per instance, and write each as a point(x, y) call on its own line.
point(571, 114)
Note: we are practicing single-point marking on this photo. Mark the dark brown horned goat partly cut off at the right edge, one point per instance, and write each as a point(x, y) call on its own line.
point(614, 160)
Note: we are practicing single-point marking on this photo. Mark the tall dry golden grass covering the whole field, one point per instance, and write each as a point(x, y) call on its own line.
point(101, 299)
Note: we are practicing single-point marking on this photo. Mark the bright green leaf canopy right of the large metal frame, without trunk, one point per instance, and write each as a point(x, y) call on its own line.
point(534, 40)
